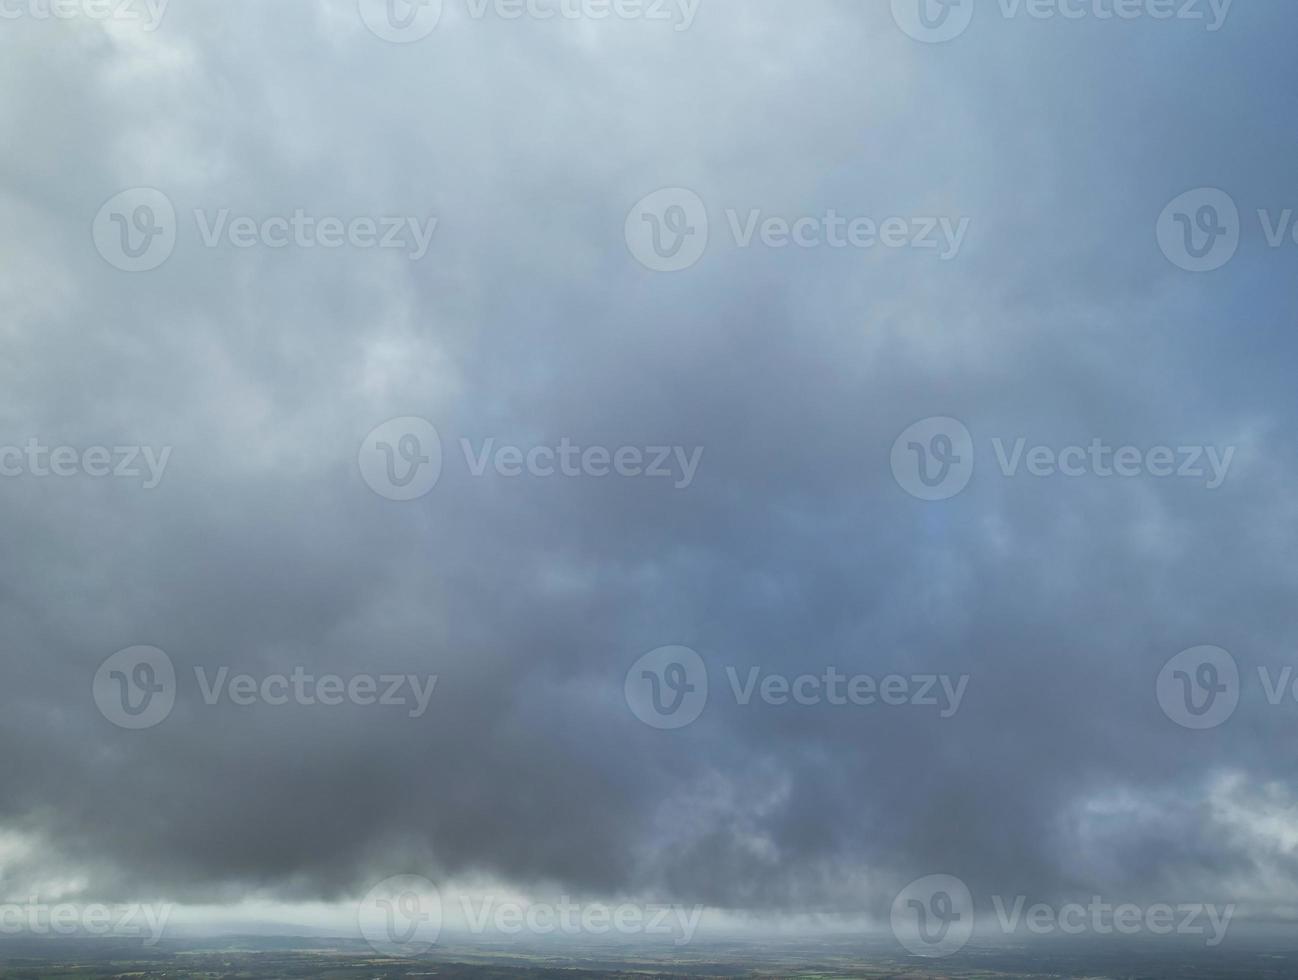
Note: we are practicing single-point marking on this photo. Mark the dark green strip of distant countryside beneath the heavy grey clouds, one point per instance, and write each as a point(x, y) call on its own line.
point(260, 959)
